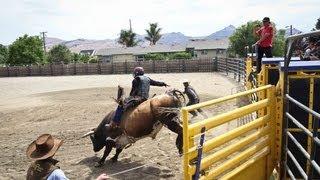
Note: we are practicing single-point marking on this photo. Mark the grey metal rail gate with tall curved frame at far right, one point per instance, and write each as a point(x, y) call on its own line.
point(291, 42)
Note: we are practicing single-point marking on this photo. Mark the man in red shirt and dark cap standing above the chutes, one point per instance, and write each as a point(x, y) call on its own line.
point(265, 42)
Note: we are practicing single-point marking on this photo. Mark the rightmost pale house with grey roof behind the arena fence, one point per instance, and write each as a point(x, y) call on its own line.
point(202, 48)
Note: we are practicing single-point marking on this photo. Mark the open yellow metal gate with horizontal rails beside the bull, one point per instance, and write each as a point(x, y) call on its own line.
point(252, 153)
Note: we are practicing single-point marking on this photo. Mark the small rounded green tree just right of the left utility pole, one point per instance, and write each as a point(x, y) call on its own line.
point(59, 53)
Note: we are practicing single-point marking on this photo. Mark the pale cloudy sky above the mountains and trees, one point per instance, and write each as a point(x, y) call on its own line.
point(103, 19)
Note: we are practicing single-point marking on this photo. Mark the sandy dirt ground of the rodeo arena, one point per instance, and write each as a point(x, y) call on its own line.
point(67, 107)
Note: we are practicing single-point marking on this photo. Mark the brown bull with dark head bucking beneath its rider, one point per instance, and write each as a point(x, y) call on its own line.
point(146, 120)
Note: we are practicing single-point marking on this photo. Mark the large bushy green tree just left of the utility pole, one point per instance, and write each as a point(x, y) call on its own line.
point(26, 50)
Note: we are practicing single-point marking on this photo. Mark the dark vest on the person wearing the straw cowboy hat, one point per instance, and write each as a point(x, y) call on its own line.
point(41, 170)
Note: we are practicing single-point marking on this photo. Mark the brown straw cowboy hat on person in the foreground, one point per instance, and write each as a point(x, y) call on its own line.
point(44, 147)
